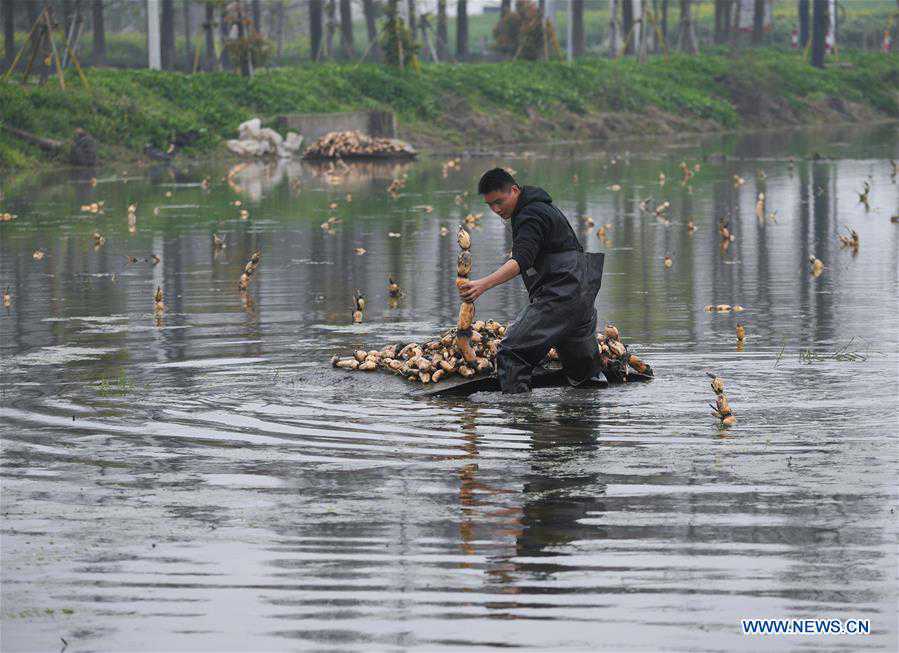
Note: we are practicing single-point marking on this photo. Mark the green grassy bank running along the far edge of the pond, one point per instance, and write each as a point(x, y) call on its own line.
point(477, 103)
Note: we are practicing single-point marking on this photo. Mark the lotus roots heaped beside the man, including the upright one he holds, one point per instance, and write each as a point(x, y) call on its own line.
point(471, 347)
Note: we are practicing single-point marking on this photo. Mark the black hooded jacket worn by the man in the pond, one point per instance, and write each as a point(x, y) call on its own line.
point(539, 228)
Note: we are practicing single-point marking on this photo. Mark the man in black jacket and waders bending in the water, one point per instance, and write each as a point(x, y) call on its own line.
point(562, 283)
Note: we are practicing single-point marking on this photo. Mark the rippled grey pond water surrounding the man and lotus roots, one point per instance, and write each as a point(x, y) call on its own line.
point(206, 482)
